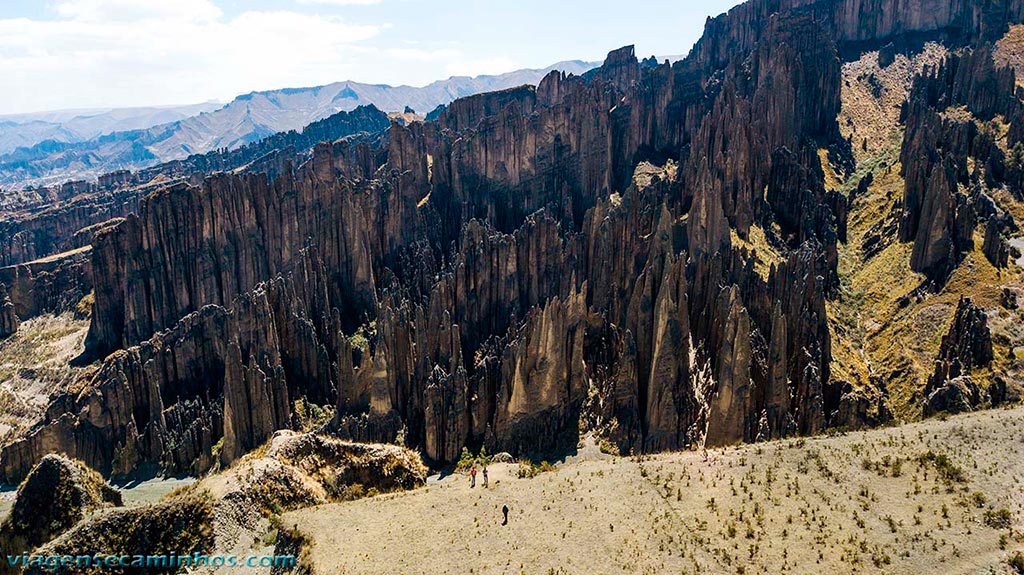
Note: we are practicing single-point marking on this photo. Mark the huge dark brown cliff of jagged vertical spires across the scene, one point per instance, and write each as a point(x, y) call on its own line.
point(648, 251)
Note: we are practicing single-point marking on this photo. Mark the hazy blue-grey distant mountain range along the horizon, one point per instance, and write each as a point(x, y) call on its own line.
point(58, 154)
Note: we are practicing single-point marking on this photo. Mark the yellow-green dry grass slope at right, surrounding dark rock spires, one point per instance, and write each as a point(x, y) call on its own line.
point(887, 331)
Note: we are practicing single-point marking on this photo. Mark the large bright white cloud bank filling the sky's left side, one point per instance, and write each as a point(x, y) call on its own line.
point(132, 53)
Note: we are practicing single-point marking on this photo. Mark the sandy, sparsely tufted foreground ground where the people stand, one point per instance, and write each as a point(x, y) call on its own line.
point(923, 498)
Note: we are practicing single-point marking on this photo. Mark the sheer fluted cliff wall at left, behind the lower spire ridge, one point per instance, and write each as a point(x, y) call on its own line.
point(242, 231)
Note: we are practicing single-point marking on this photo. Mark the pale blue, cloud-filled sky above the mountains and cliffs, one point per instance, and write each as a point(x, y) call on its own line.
point(60, 55)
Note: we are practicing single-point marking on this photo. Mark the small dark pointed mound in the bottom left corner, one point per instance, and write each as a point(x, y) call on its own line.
point(57, 495)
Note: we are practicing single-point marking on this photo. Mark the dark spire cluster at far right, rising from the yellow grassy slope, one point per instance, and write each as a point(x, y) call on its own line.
point(940, 214)
